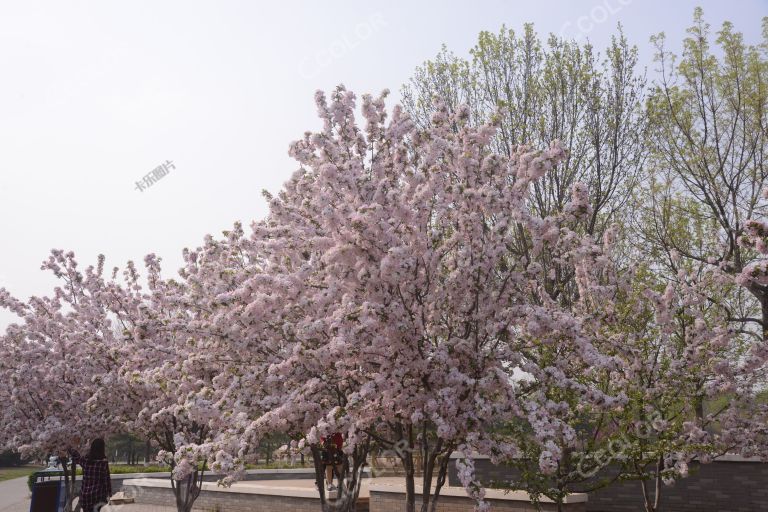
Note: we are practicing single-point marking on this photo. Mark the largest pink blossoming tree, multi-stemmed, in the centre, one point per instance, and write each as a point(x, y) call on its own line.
point(403, 275)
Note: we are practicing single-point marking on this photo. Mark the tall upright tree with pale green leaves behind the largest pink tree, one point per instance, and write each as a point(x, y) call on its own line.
point(539, 92)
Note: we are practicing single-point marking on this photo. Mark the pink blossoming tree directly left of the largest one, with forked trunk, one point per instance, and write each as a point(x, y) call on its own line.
point(173, 358)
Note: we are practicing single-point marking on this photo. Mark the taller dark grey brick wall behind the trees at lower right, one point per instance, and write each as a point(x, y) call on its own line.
point(716, 487)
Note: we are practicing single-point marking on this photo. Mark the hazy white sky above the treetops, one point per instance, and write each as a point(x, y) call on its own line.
point(94, 95)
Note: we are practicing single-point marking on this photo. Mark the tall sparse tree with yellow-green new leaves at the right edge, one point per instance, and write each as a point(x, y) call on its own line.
point(708, 143)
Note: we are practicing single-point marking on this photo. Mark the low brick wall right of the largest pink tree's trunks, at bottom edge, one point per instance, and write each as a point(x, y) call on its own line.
point(393, 502)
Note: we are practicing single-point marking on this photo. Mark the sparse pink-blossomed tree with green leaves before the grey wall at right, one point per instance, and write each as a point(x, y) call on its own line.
point(681, 373)
